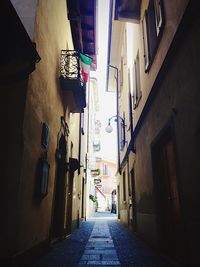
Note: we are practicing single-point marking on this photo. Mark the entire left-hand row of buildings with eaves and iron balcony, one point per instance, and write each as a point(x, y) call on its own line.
point(42, 181)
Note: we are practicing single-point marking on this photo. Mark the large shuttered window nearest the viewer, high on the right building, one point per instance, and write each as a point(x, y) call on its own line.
point(152, 26)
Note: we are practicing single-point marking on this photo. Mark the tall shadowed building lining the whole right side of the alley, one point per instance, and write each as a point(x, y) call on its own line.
point(157, 61)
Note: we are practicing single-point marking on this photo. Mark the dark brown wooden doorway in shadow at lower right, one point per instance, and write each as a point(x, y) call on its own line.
point(169, 222)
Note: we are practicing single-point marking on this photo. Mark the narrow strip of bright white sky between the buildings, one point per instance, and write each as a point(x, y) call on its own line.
point(107, 101)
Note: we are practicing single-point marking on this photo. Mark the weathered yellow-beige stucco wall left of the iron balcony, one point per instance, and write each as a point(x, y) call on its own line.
point(43, 104)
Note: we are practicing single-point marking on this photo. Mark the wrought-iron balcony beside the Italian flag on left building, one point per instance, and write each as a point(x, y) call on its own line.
point(72, 85)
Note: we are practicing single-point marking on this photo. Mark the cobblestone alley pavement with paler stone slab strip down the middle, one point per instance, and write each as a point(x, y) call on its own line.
point(101, 241)
